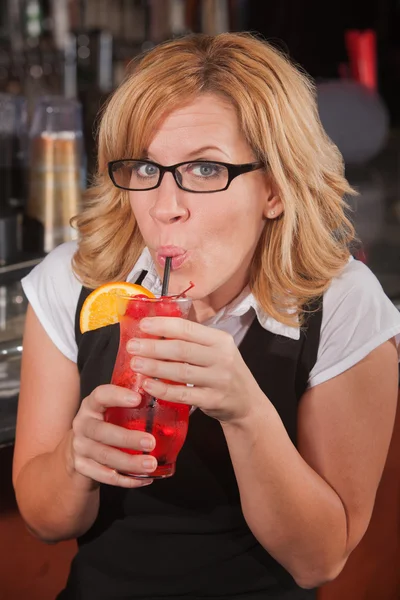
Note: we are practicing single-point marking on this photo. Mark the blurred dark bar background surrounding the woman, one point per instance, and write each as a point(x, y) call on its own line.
point(59, 61)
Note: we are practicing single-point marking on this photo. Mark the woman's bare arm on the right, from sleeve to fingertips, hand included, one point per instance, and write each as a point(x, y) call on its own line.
point(308, 507)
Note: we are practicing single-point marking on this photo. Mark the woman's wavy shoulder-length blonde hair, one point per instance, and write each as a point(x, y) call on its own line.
point(299, 253)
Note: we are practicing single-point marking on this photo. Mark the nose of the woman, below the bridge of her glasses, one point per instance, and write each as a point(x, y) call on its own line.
point(169, 205)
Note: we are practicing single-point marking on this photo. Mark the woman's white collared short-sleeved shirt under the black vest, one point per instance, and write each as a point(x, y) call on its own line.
point(357, 314)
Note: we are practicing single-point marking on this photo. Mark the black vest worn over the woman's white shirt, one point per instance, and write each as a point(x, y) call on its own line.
point(186, 536)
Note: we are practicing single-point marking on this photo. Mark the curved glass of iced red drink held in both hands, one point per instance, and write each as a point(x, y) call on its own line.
point(166, 421)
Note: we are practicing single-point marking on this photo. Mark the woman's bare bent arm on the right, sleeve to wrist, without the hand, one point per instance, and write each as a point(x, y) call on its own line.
point(311, 508)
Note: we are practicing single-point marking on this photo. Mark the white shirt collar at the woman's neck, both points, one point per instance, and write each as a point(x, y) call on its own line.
point(237, 308)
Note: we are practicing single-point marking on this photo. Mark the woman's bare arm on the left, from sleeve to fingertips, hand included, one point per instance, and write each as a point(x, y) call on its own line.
point(60, 456)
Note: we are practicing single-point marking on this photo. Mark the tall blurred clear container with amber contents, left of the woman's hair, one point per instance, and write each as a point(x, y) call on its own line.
point(56, 172)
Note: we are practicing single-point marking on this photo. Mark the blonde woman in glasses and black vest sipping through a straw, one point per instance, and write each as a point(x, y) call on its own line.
point(276, 481)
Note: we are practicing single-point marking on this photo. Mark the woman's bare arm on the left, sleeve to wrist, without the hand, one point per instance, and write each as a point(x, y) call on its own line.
point(55, 501)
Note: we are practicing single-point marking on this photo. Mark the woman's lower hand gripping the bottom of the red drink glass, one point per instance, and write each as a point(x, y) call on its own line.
point(95, 443)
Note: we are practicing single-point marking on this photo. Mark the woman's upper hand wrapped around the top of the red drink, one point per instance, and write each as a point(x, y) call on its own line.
point(223, 386)
